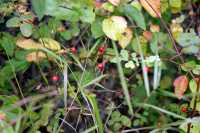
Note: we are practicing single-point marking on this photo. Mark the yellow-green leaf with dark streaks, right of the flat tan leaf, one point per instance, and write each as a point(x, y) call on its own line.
point(50, 43)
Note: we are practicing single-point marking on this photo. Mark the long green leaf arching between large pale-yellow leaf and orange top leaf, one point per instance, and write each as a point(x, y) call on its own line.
point(135, 15)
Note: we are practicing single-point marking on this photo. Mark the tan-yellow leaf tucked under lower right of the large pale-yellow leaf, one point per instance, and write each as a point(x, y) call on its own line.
point(125, 38)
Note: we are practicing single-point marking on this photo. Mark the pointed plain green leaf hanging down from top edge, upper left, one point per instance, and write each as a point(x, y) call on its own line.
point(39, 7)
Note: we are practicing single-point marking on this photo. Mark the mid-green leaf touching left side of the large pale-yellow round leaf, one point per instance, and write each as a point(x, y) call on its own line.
point(96, 28)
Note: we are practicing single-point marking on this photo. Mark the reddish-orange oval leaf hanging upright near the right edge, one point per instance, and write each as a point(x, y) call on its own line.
point(180, 86)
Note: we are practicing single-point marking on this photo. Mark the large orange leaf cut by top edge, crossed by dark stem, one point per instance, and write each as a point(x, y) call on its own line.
point(152, 7)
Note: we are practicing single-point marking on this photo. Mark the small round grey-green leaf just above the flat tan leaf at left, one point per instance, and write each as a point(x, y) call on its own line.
point(26, 29)
